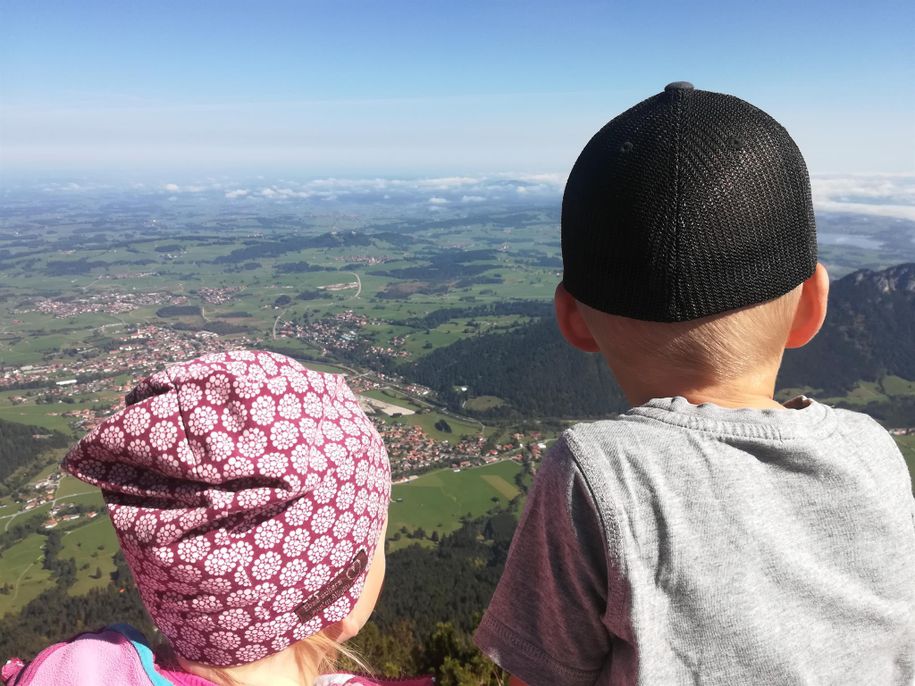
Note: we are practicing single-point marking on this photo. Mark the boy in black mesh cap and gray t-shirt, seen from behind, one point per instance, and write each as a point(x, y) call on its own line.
point(709, 535)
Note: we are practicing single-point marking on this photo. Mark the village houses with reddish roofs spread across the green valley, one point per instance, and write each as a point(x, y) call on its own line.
point(61, 383)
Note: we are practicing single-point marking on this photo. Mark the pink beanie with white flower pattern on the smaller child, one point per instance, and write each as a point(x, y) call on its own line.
point(248, 494)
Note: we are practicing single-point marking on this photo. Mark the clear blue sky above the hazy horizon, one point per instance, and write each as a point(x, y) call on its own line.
point(391, 88)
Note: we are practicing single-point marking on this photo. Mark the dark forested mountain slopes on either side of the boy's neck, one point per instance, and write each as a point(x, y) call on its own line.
point(869, 332)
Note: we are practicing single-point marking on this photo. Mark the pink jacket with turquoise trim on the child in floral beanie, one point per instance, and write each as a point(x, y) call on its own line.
point(119, 655)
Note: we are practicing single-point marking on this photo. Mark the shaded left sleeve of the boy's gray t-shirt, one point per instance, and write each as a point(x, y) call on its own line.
point(544, 623)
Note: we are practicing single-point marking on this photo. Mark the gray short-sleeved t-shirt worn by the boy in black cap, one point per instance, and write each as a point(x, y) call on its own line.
point(684, 544)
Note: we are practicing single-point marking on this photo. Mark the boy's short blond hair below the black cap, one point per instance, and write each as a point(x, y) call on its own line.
point(720, 347)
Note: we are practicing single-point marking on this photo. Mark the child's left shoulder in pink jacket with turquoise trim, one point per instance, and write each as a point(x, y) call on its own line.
point(117, 654)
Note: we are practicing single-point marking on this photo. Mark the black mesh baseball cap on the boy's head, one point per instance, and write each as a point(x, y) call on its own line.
point(688, 204)
